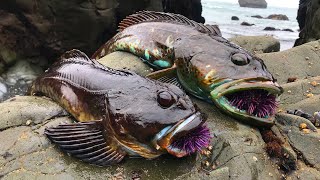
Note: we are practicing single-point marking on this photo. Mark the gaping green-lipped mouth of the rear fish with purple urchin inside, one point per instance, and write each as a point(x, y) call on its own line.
point(252, 100)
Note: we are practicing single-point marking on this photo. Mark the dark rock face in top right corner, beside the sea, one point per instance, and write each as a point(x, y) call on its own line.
point(308, 18)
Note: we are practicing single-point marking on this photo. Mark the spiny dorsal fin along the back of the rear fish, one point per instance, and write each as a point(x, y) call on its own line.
point(151, 16)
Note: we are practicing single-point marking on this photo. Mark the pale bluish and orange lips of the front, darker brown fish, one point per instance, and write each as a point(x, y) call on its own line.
point(163, 140)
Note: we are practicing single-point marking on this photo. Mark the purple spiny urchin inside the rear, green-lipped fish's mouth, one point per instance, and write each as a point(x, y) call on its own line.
point(255, 102)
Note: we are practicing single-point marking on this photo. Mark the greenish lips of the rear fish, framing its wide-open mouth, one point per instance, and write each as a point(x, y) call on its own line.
point(219, 93)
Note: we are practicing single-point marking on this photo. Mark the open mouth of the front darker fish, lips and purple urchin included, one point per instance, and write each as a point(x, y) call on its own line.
point(187, 136)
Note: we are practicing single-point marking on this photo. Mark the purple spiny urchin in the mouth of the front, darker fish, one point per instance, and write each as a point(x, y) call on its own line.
point(193, 141)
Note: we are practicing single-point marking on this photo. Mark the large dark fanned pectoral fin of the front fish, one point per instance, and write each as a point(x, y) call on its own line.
point(86, 141)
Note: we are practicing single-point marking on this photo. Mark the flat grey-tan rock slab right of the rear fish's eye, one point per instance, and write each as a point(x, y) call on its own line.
point(300, 62)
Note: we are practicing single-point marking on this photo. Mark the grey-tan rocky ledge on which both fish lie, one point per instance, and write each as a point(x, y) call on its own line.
point(237, 151)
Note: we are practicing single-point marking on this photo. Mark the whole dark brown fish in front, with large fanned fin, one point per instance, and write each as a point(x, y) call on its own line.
point(120, 112)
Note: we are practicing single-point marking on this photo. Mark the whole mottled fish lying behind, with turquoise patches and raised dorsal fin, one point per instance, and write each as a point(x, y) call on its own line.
point(206, 65)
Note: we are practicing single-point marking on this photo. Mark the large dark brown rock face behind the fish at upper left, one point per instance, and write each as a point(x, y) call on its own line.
point(51, 27)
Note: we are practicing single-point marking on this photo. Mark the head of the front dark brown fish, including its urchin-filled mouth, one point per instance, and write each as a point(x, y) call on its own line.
point(160, 118)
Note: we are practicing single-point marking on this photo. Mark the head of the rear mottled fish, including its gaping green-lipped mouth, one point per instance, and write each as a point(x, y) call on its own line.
point(233, 79)
